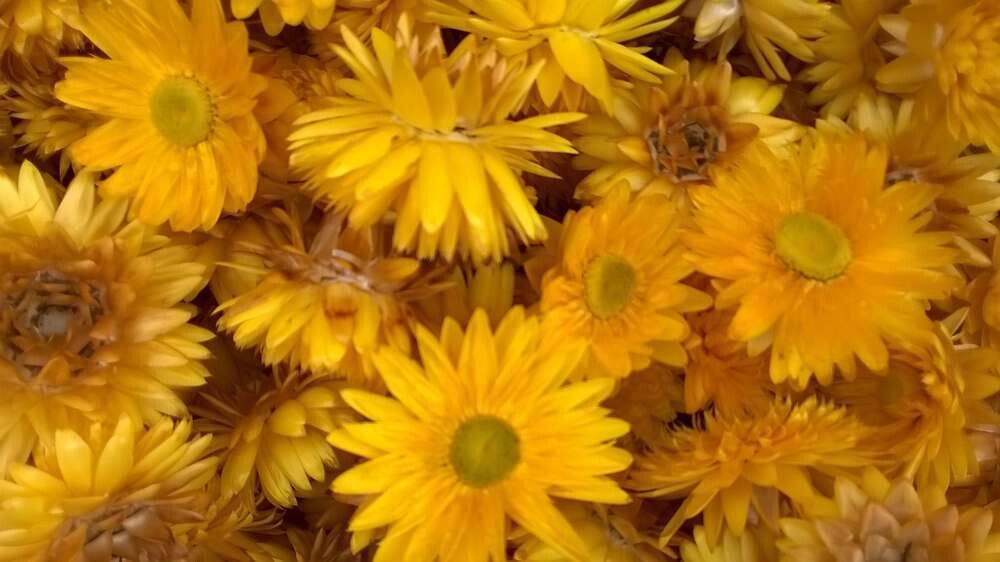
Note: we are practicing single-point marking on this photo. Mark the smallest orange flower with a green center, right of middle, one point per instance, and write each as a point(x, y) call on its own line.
point(617, 284)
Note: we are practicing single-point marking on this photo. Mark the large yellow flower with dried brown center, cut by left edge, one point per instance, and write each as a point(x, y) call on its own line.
point(91, 320)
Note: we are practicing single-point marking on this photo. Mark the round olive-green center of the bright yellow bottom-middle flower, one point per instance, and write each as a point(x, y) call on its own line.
point(484, 450)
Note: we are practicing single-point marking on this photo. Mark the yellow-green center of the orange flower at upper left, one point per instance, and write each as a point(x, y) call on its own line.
point(181, 109)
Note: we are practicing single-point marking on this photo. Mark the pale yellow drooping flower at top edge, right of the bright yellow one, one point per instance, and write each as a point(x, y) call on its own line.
point(765, 26)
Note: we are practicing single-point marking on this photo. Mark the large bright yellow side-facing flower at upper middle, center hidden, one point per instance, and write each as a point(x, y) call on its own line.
point(429, 142)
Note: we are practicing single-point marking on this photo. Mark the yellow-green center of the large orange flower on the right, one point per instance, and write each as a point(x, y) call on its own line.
point(813, 246)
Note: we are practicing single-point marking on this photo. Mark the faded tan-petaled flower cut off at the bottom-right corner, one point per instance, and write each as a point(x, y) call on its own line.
point(883, 520)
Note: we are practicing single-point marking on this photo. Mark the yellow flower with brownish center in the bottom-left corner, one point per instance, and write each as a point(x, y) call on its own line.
point(129, 494)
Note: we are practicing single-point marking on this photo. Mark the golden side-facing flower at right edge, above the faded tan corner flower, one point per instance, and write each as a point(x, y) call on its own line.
point(924, 405)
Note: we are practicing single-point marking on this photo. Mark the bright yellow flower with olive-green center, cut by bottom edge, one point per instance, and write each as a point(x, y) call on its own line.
point(486, 429)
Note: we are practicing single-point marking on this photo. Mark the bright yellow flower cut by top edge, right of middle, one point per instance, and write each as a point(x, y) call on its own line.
point(573, 40)
